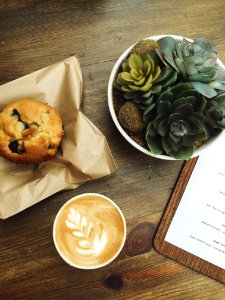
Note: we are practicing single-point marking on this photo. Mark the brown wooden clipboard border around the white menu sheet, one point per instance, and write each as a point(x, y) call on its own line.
point(173, 251)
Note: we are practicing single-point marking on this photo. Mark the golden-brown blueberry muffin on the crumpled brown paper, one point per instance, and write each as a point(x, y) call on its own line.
point(30, 131)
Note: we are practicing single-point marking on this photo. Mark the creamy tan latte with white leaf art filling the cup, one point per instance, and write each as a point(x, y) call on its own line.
point(89, 231)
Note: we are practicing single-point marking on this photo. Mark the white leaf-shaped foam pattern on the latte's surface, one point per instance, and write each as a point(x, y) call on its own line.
point(90, 242)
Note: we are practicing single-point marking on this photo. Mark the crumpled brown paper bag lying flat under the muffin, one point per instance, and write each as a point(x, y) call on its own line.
point(83, 155)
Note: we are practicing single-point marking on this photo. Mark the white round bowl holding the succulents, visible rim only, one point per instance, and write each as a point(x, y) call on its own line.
point(112, 78)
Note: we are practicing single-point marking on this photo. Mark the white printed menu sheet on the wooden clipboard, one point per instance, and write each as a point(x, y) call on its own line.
point(198, 225)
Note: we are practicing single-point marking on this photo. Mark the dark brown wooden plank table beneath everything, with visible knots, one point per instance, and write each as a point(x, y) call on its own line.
point(35, 34)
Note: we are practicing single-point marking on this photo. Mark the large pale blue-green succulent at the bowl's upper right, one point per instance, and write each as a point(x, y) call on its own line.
point(195, 61)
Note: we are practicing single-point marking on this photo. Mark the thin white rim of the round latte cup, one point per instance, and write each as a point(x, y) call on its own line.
point(54, 231)
